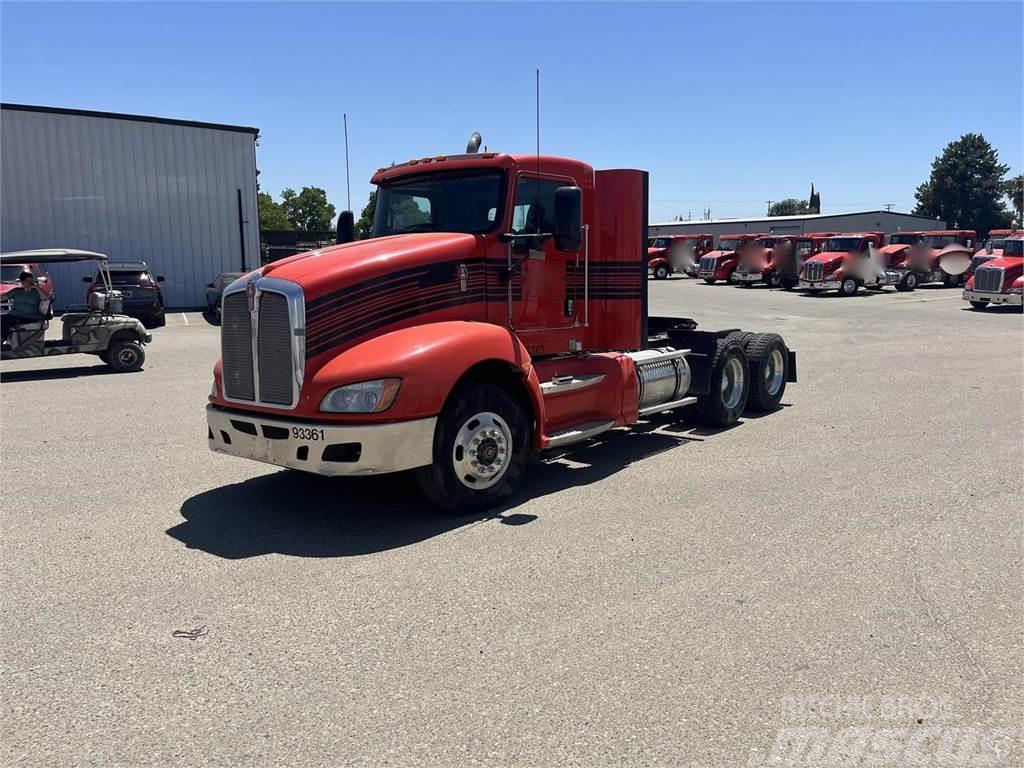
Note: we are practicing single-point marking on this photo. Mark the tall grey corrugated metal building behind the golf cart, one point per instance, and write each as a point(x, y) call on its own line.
point(177, 194)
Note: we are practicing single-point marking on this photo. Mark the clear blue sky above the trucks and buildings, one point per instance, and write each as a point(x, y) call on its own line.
point(728, 105)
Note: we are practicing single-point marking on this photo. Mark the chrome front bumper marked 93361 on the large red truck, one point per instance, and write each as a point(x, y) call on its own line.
point(322, 449)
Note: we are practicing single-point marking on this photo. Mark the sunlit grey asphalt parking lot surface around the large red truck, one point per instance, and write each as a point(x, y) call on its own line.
point(665, 596)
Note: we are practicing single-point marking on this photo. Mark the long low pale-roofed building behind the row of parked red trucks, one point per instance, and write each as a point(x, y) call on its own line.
point(858, 222)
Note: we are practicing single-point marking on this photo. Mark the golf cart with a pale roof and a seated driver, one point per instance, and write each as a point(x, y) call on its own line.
point(115, 338)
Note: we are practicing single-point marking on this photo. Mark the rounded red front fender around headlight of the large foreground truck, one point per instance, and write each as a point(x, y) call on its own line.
point(430, 360)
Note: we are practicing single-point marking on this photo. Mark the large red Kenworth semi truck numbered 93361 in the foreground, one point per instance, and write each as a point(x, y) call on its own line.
point(500, 309)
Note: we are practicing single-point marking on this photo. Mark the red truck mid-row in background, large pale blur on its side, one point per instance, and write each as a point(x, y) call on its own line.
point(849, 262)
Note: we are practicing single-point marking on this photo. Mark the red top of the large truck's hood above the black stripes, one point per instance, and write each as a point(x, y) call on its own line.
point(330, 270)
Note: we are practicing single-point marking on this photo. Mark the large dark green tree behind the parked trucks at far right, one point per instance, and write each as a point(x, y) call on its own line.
point(966, 188)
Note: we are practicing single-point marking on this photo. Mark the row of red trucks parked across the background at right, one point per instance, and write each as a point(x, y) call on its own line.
point(830, 262)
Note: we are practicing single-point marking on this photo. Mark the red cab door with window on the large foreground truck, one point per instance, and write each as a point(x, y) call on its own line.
point(543, 303)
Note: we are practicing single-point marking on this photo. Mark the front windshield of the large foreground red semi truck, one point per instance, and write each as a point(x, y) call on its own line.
point(447, 202)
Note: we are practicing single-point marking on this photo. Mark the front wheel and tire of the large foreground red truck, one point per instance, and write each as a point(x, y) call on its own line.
point(501, 423)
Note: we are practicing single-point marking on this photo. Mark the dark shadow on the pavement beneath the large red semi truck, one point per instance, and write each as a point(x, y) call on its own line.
point(305, 516)
